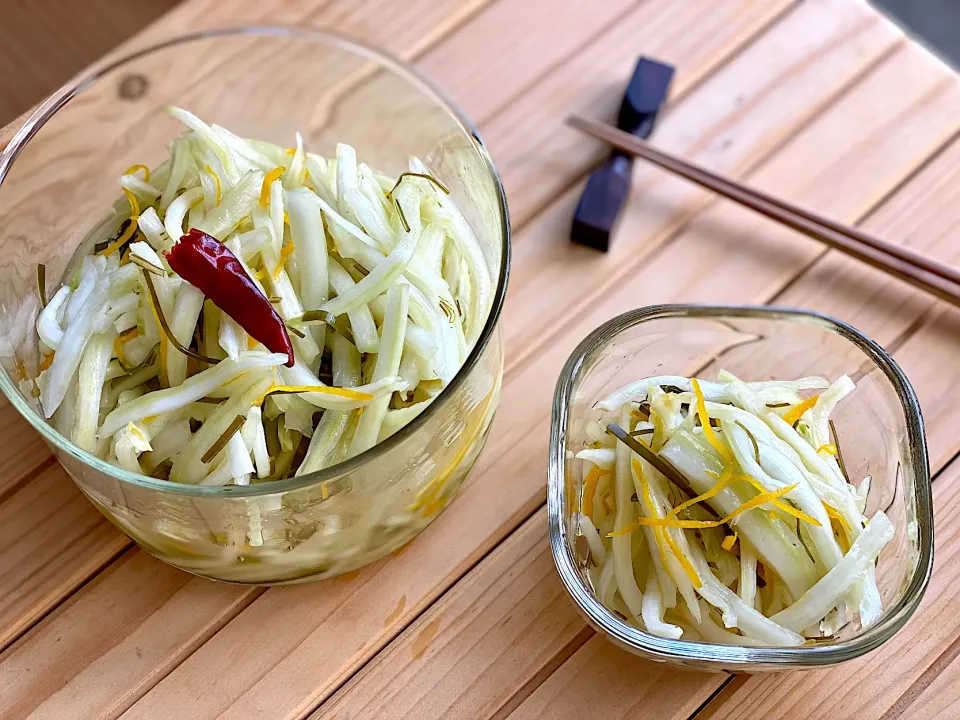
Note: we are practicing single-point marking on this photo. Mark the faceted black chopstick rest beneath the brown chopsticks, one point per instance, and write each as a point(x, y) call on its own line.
point(609, 185)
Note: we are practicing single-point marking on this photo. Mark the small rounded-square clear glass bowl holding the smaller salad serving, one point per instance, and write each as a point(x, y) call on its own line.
point(879, 426)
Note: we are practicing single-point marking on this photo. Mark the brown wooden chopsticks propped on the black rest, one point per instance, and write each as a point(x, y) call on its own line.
point(912, 267)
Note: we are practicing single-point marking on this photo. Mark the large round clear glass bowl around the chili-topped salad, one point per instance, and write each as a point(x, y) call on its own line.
point(59, 182)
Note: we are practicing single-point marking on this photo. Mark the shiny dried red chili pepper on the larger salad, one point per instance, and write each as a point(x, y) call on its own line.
point(208, 265)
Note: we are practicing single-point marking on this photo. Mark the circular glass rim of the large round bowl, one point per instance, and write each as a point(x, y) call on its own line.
point(39, 117)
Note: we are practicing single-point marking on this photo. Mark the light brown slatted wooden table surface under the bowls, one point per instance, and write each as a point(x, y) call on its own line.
point(822, 102)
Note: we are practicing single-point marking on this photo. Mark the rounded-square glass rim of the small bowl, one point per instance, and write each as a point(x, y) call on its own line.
point(736, 658)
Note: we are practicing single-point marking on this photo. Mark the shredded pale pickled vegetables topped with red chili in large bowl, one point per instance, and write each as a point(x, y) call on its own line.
point(256, 312)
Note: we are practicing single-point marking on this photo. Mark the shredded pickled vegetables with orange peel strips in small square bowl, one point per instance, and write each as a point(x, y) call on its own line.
point(722, 512)
